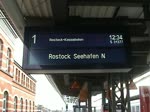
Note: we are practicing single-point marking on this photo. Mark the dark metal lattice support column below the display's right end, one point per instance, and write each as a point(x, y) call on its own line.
point(114, 100)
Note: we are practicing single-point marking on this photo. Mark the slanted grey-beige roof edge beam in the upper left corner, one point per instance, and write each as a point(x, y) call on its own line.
point(14, 16)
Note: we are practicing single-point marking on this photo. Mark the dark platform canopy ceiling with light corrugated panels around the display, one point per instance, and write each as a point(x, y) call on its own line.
point(133, 13)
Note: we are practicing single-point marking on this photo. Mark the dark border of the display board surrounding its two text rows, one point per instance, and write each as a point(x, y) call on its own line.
point(77, 30)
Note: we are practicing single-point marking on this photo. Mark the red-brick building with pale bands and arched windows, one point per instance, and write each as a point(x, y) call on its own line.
point(17, 89)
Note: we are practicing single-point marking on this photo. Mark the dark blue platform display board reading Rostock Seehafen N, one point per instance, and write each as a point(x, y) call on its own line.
point(65, 48)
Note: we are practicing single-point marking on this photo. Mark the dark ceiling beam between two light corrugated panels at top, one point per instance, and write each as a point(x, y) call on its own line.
point(60, 11)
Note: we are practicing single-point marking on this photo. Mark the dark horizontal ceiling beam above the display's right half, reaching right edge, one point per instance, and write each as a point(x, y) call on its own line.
point(76, 20)
